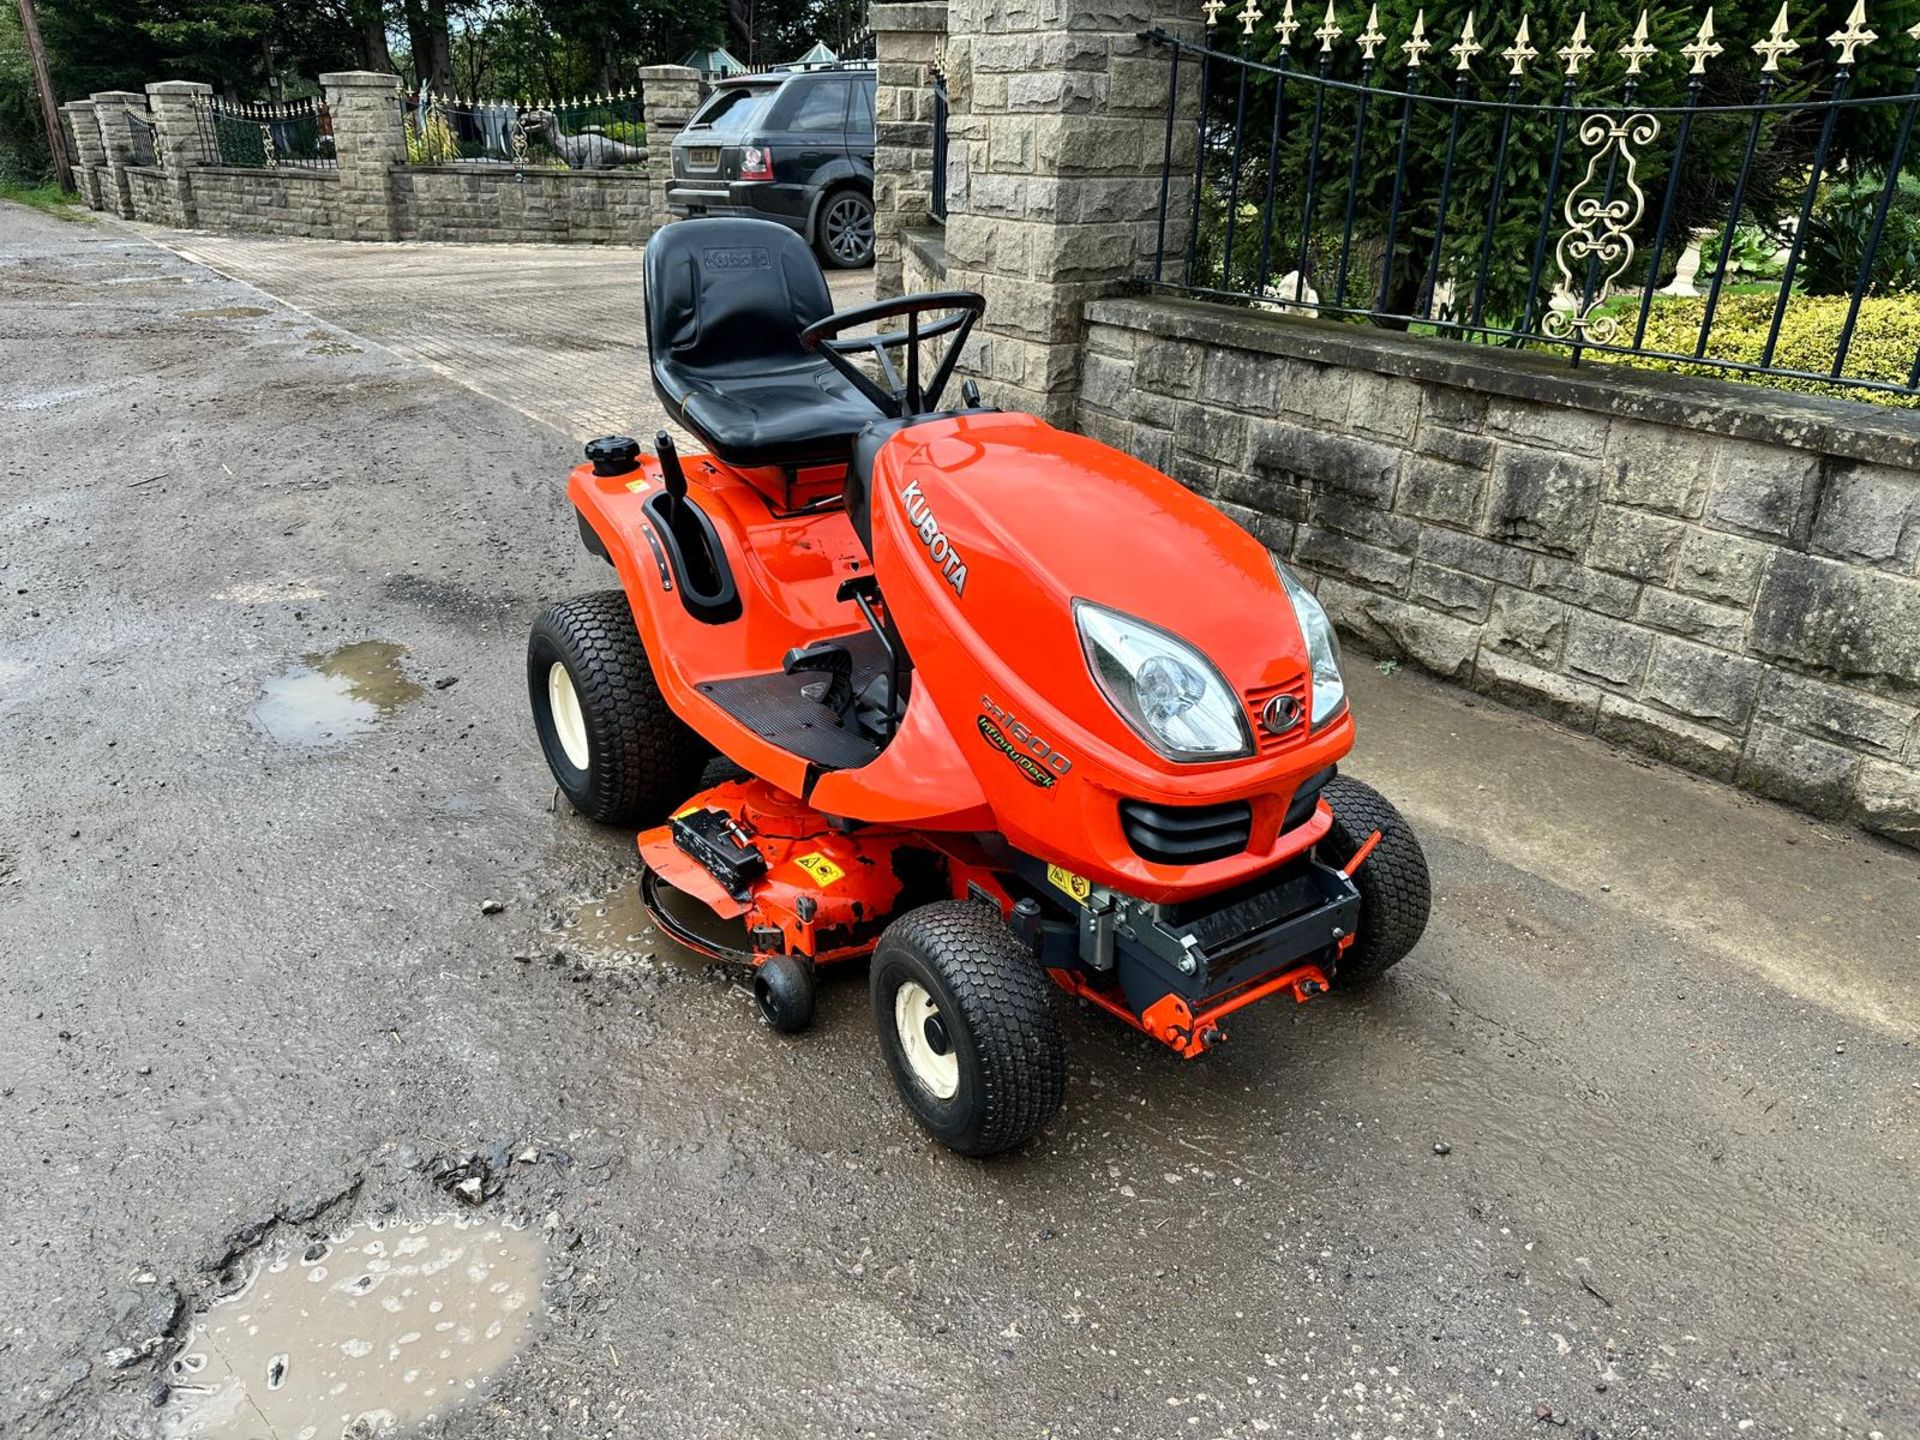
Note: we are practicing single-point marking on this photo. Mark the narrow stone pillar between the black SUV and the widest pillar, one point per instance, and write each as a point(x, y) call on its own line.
point(907, 45)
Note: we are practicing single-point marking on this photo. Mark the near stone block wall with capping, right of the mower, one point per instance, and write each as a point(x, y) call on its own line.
point(1721, 577)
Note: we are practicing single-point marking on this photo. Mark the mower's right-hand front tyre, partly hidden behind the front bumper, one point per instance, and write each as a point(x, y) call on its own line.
point(1395, 890)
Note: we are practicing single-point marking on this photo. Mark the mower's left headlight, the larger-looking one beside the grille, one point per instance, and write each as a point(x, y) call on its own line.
point(1163, 688)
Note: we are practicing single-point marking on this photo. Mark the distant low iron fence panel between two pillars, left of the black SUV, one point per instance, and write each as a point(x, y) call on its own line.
point(594, 133)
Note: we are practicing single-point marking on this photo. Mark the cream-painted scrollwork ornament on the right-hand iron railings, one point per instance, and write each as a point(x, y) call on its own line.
point(1600, 228)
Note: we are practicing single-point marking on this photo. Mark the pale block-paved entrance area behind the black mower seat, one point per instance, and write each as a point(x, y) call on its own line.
point(554, 331)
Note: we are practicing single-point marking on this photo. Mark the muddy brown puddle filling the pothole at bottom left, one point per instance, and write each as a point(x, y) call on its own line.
point(360, 1335)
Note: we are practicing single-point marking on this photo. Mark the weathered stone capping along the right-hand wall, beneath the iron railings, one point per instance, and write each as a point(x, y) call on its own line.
point(1848, 429)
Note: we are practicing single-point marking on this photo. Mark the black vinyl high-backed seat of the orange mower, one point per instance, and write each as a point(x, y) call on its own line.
point(727, 302)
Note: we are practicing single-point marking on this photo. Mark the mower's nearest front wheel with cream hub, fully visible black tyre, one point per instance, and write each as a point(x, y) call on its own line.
point(969, 1030)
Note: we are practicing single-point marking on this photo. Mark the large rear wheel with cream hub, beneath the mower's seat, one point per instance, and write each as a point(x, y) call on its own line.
point(617, 752)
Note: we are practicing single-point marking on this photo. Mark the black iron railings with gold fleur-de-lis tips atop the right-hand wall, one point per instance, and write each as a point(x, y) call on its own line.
point(1673, 203)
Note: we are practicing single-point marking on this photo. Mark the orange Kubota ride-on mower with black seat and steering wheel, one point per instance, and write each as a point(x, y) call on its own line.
point(1007, 706)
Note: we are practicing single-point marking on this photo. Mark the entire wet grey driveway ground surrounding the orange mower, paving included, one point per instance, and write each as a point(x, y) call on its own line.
point(1625, 1147)
